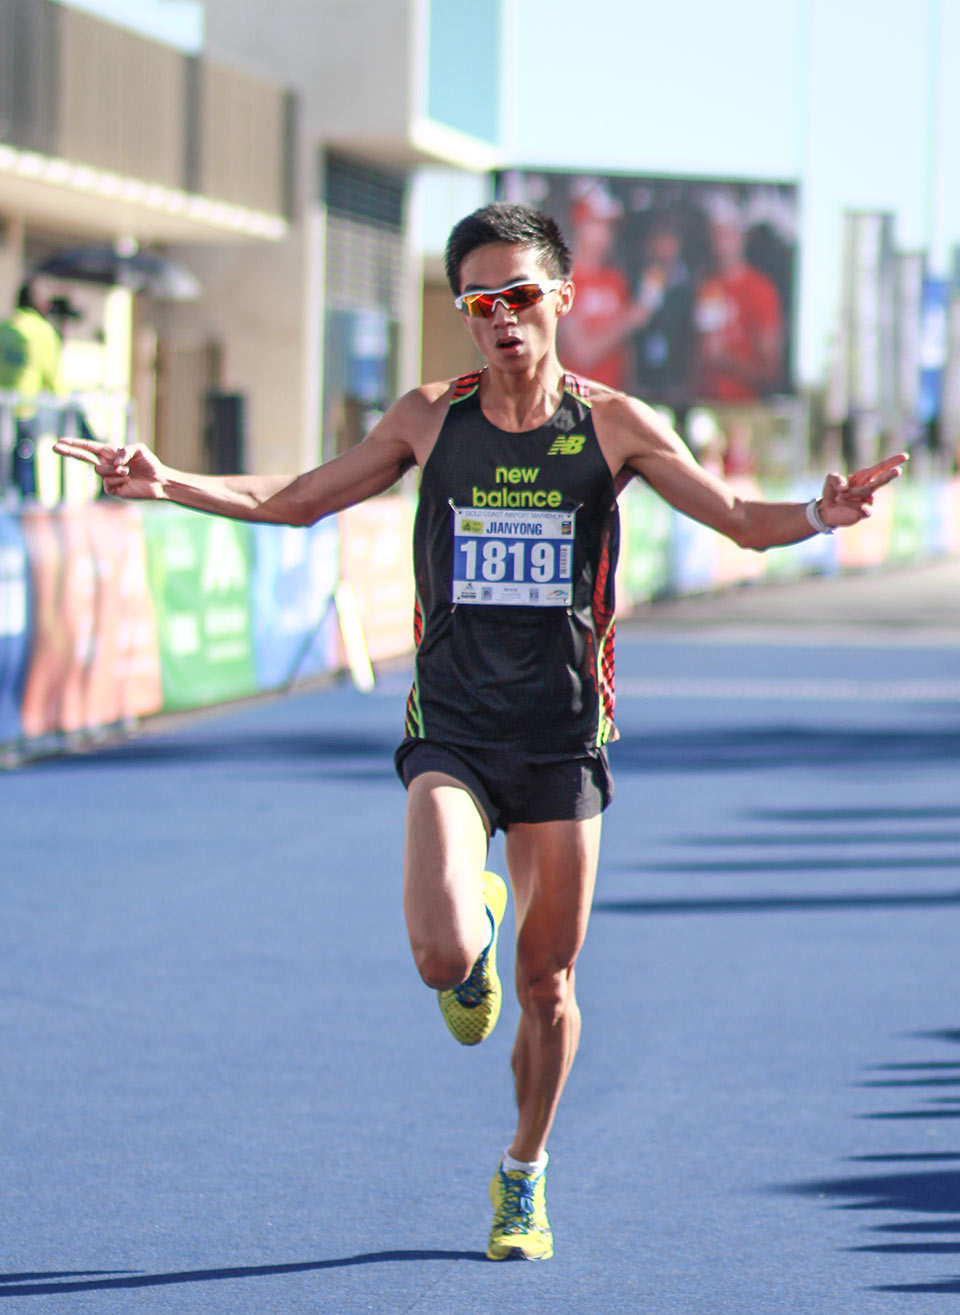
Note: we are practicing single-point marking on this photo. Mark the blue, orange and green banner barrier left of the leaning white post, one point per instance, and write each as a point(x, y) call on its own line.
point(115, 612)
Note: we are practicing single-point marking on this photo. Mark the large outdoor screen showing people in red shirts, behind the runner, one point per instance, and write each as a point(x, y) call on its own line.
point(684, 287)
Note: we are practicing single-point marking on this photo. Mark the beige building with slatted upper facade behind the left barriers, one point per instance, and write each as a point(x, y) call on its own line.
point(279, 165)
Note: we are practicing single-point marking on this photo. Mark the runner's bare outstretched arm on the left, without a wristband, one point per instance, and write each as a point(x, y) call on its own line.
point(366, 470)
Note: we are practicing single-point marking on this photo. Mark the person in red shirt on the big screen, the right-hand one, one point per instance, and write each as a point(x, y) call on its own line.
point(738, 318)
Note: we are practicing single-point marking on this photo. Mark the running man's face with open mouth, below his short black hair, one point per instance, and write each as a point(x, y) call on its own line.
point(514, 341)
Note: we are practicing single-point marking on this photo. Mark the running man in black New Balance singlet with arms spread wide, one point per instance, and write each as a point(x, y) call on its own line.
point(512, 704)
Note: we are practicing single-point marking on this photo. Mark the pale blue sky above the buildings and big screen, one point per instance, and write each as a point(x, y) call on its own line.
point(852, 99)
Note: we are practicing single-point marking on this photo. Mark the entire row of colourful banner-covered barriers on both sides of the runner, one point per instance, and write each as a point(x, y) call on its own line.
point(115, 612)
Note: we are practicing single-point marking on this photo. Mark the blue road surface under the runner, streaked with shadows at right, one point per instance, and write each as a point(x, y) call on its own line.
point(224, 1088)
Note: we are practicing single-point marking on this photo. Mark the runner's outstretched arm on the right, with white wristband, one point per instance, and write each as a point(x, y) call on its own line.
point(642, 442)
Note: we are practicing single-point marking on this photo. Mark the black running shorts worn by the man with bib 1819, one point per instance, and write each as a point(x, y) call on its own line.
point(511, 788)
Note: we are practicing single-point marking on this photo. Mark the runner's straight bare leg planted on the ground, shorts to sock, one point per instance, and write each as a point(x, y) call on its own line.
point(553, 869)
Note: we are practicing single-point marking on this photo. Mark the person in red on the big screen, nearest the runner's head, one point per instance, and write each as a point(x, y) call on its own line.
point(594, 337)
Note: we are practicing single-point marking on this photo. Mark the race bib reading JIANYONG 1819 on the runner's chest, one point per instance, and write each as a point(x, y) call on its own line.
point(514, 558)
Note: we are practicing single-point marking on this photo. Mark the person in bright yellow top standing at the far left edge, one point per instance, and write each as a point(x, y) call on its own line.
point(30, 366)
